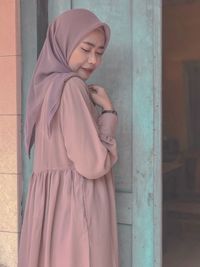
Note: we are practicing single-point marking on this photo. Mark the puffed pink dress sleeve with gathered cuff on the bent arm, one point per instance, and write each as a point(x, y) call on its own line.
point(90, 143)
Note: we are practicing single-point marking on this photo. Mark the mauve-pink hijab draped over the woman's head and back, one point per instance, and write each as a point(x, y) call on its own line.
point(52, 70)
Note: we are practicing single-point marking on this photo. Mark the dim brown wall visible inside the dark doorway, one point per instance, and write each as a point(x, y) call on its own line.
point(181, 42)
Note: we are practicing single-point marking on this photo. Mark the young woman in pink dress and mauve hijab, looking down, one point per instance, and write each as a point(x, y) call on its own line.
point(70, 212)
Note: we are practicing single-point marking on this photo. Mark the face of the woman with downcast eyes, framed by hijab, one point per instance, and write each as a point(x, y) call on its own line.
point(87, 56)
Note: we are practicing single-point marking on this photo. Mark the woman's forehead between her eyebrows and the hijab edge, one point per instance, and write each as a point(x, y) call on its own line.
point(95, 38)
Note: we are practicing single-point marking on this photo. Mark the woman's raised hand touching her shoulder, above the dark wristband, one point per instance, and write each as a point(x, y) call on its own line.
point(99, 96)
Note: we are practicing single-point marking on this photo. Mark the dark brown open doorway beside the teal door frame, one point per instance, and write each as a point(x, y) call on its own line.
point(181, 133)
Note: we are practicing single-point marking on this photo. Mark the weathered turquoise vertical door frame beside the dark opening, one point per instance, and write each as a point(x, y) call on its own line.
point(147, 133)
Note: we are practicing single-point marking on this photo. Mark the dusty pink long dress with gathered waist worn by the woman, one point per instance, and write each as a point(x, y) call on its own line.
point(70, 212)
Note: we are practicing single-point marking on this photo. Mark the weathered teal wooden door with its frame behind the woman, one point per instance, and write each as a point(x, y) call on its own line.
point(131, 72)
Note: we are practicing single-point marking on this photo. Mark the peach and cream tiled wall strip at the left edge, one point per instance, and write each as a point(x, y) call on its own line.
point(10, 121)
